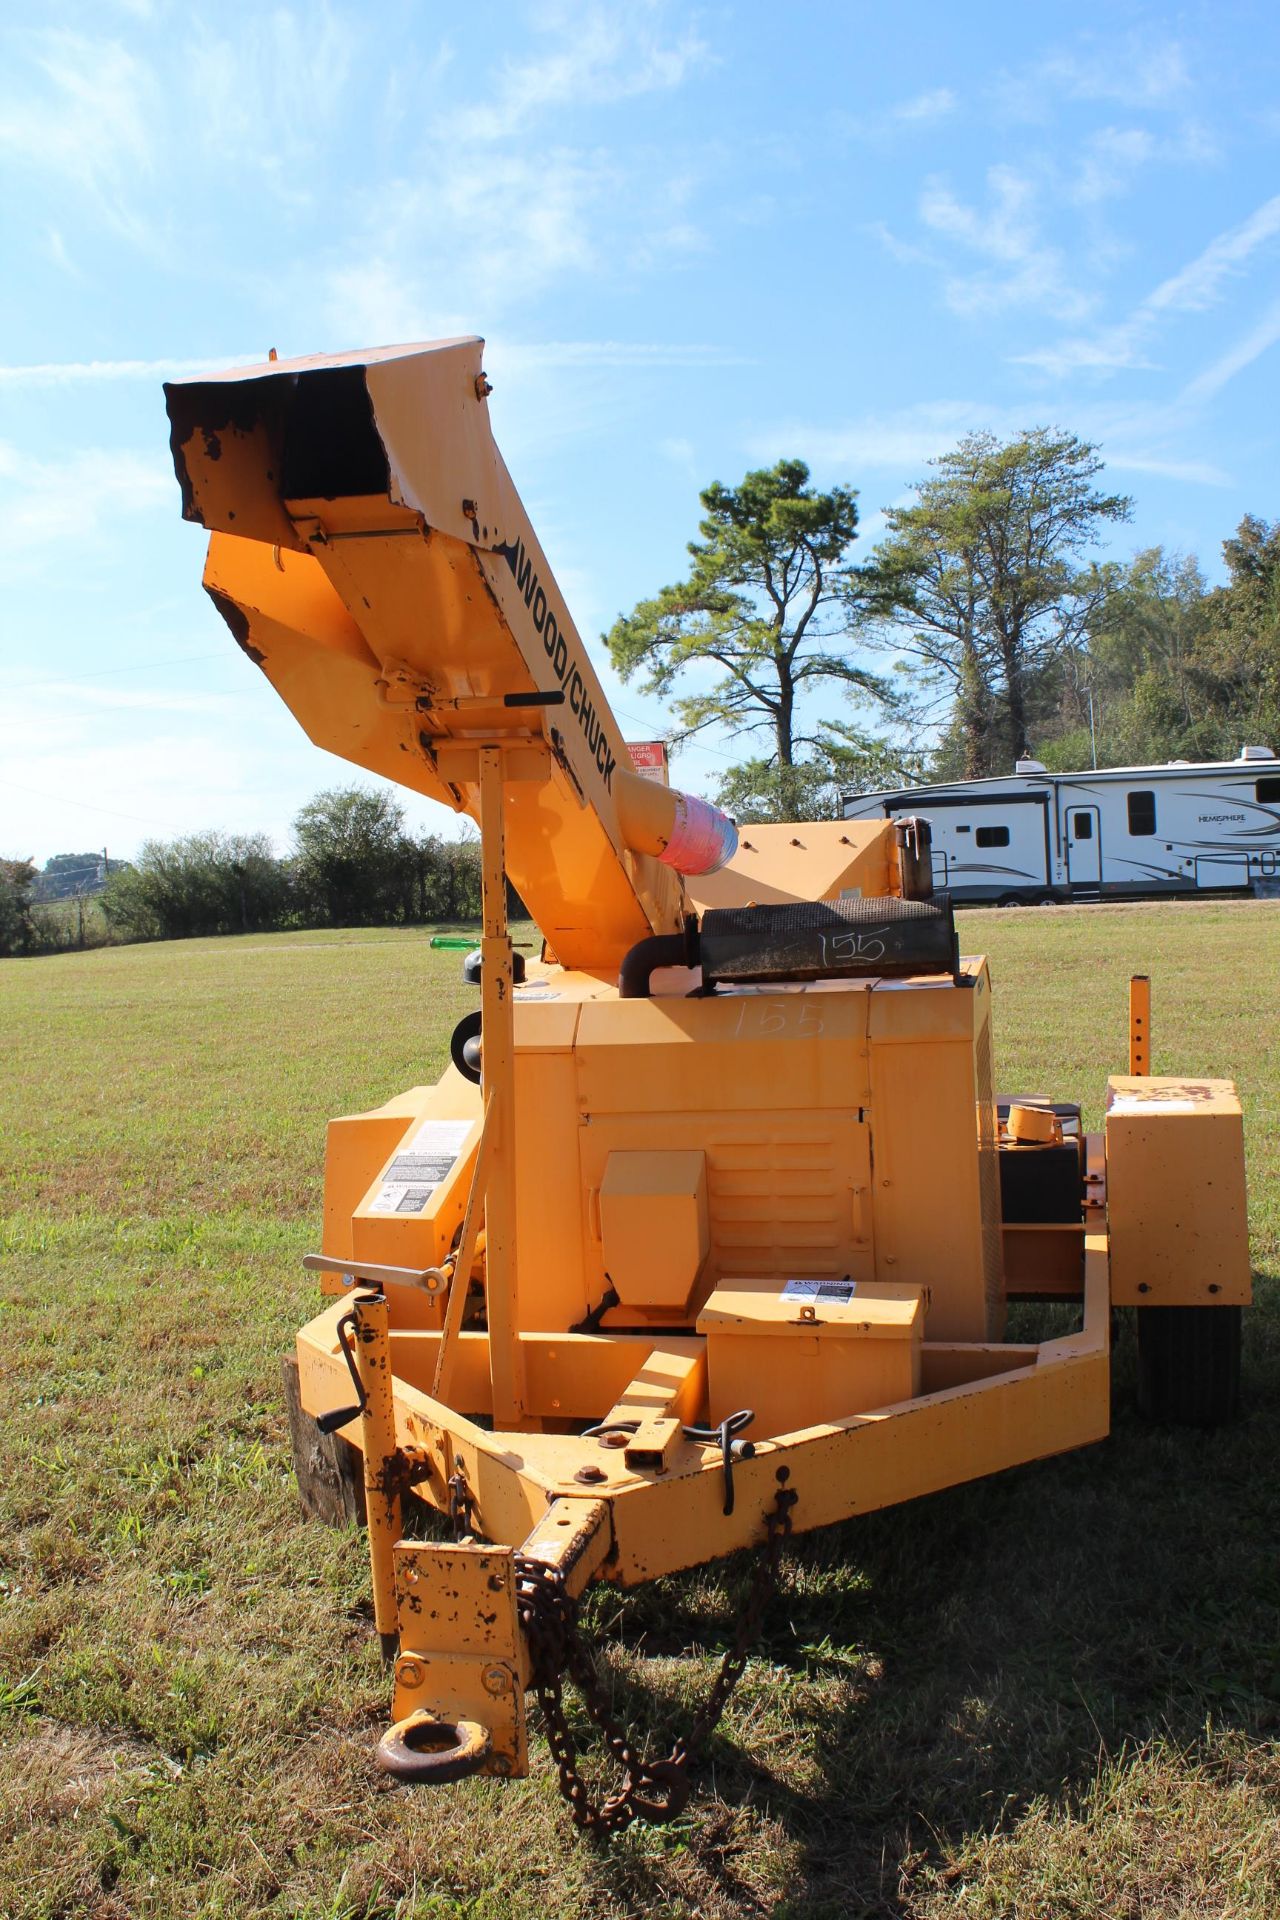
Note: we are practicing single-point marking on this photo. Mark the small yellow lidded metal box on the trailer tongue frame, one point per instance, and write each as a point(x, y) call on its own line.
point(840, 1349)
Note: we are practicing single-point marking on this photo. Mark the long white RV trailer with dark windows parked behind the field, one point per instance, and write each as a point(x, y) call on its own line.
point(1120, 832)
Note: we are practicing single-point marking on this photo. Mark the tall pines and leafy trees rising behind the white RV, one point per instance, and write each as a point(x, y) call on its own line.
point(984, 627)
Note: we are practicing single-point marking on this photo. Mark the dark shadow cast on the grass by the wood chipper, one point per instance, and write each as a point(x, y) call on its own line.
point(962, 1656)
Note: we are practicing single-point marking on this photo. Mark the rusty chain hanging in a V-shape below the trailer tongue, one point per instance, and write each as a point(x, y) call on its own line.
point(650, 1792)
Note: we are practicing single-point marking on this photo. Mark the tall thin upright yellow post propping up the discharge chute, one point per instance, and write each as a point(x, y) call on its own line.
point(498, 1080)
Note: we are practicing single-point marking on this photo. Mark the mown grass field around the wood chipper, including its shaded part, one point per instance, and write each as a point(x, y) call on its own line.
point(1055, 1694)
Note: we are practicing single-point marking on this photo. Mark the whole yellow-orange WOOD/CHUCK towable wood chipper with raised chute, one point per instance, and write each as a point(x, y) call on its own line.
point(709, 1230)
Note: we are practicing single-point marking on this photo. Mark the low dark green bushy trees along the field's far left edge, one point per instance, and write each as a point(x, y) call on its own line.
point(352, 863)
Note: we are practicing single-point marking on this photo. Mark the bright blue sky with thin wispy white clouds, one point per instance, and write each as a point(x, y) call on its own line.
point(696, 237)
